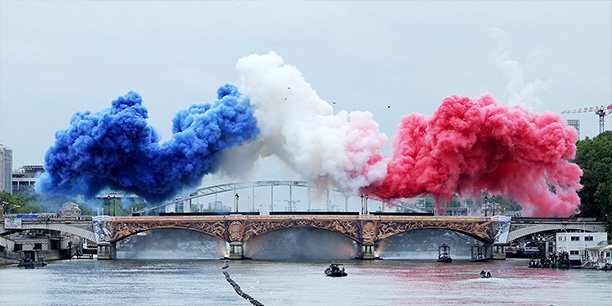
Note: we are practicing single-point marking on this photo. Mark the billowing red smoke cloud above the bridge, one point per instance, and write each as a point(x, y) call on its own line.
point(474, 145)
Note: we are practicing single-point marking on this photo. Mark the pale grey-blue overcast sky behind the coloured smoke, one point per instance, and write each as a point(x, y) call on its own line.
point(390, 58)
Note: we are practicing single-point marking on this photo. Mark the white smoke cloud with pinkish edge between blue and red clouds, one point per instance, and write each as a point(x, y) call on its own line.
point(333, 150)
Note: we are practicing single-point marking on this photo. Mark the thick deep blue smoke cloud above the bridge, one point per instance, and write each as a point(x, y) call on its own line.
point(117, 149)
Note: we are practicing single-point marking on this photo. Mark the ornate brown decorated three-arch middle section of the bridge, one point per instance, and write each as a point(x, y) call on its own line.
point(365, 230)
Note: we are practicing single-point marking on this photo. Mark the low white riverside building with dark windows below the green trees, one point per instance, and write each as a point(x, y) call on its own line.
point(576, 243)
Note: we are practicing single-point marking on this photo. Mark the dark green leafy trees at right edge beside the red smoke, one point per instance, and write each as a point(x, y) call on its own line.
point(594, 156)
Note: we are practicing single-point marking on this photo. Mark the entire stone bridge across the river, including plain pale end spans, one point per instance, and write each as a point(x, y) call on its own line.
point(365, 230)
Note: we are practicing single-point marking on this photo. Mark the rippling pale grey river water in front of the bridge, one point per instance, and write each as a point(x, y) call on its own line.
point(381, 282)
